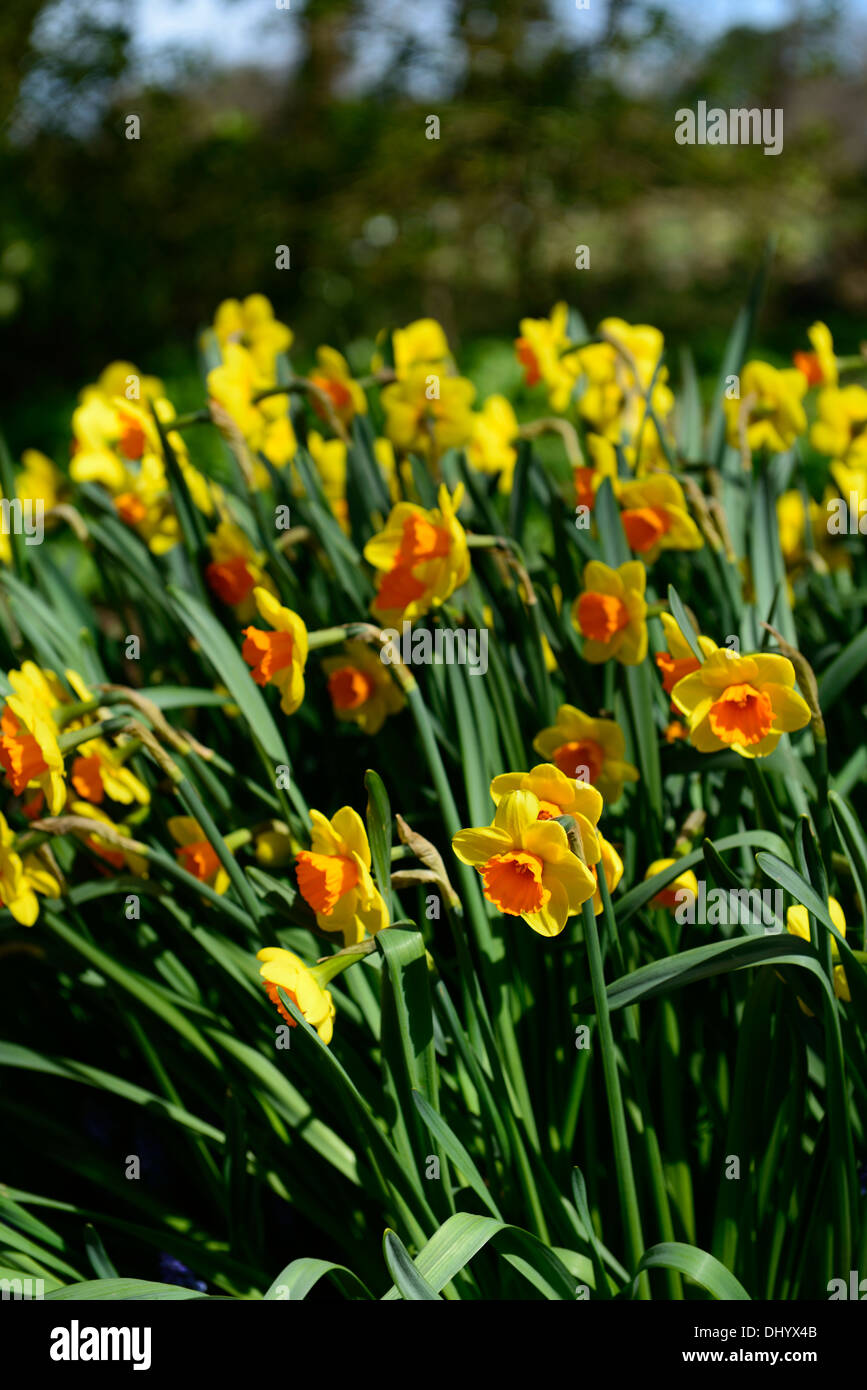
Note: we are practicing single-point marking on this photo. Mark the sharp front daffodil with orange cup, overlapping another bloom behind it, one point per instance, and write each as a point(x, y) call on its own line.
point(527, 865)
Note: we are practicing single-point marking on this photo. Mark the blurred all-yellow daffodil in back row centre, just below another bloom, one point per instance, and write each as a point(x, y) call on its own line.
point(429, 412)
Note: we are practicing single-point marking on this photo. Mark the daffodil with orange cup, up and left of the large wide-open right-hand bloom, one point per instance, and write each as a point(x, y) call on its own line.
point(611, 614)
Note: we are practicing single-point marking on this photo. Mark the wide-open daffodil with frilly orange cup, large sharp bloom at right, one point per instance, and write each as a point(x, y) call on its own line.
point(741, 703)
